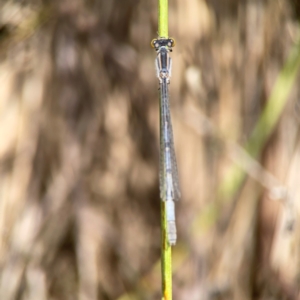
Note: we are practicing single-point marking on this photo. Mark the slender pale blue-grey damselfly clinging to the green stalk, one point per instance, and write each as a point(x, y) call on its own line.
point(168, 175)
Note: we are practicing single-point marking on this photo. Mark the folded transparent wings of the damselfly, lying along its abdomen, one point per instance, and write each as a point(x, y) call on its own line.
point(168, 175)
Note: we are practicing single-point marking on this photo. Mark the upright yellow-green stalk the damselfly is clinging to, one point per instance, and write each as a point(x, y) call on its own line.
point(166, 250)
